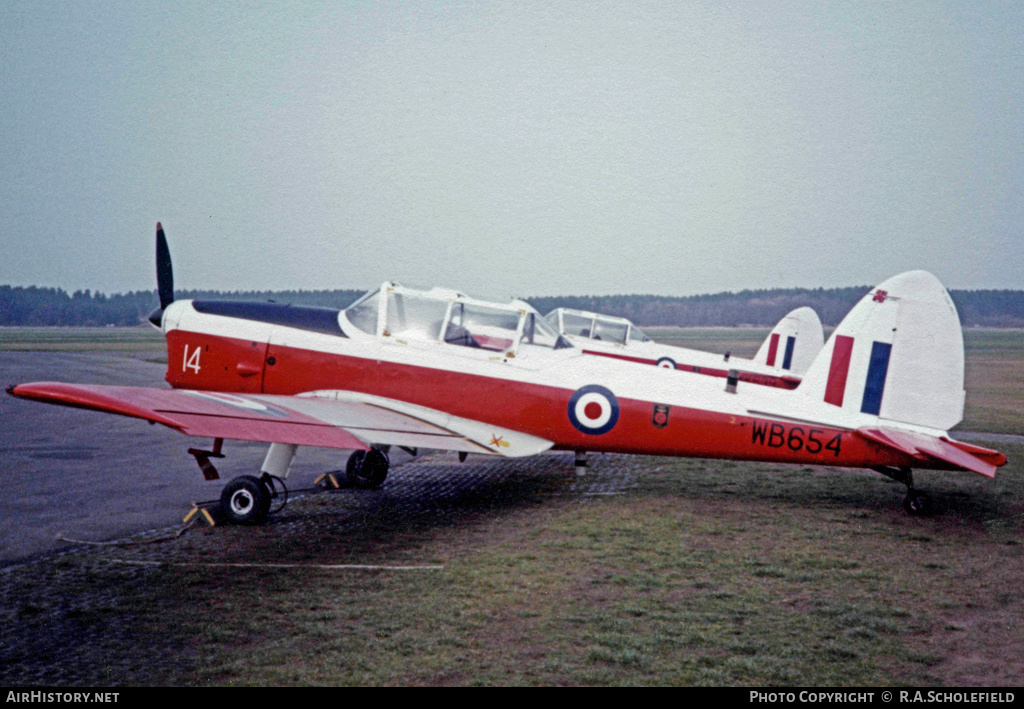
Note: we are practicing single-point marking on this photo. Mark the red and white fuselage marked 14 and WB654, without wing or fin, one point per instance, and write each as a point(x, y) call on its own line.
point(516, 384)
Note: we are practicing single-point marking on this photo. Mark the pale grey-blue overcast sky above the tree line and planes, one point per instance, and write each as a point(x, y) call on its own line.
point(513, 148)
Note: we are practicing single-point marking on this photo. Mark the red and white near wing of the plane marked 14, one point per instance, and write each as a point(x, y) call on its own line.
point(326, 420)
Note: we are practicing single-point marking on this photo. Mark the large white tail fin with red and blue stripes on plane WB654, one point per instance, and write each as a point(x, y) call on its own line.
point(899, 356)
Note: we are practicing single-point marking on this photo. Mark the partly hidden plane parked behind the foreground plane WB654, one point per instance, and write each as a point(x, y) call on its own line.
point(782, 361)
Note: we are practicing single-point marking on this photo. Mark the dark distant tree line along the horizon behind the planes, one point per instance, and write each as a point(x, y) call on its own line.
point(55, 307)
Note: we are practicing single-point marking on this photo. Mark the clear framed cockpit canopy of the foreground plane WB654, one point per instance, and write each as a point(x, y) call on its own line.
point(440, 315)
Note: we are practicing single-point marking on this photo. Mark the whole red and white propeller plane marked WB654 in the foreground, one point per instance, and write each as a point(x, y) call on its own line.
point(439, 370)
